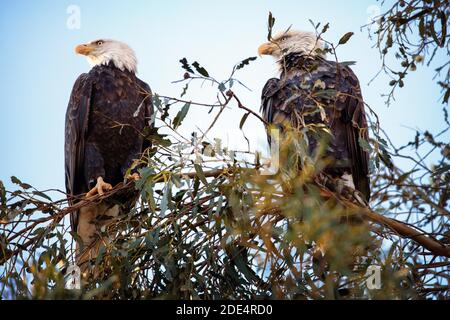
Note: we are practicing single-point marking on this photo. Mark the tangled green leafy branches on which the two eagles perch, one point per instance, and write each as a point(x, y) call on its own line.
point(210, 225)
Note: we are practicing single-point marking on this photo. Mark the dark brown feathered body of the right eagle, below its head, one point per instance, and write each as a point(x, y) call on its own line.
point(280, 97)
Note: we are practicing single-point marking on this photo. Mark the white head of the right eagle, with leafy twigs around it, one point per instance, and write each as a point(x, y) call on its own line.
point(292, 41)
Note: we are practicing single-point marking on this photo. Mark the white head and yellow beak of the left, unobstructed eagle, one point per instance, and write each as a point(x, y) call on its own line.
point(104, 51)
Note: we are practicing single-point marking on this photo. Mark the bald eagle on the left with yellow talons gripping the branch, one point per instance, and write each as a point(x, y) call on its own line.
point(108, 110)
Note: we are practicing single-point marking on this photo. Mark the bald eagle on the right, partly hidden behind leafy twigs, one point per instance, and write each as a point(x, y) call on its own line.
point(322, 92)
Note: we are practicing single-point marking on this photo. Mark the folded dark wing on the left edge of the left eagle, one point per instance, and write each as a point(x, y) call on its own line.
point(77, 117)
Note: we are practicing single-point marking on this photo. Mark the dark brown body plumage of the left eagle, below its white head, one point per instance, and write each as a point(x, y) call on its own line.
point(107, 113)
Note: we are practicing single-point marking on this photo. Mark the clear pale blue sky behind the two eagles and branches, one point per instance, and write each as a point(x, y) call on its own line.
point(39, 66)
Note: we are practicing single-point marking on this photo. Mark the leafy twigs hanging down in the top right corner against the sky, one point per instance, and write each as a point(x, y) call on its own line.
point(416, 31)
